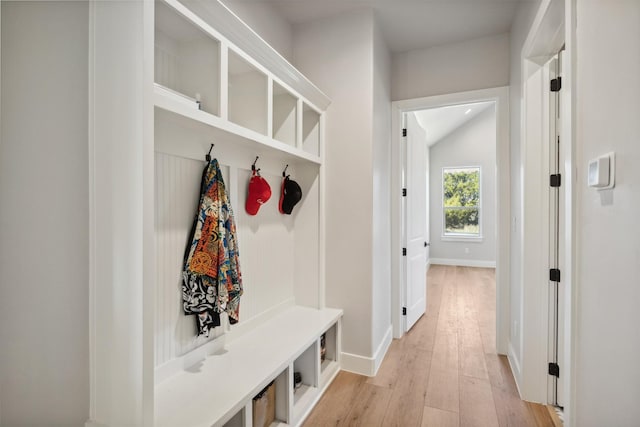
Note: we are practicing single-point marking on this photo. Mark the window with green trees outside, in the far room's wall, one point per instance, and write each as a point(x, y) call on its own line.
point(461, 201)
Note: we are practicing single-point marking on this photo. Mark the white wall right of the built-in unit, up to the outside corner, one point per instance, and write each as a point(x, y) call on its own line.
point(337, 55)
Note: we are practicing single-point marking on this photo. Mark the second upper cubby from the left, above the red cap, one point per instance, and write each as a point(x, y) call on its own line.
point(248, 94)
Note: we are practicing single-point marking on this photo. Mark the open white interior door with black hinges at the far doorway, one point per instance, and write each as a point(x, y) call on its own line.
point(416, 179)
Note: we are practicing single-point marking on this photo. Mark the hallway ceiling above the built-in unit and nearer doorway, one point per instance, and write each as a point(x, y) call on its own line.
point(413, 24)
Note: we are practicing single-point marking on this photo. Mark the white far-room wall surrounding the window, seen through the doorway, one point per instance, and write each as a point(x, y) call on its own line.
point(472, 144)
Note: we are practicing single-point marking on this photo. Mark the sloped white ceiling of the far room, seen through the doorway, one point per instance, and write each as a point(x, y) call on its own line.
point(440, 122)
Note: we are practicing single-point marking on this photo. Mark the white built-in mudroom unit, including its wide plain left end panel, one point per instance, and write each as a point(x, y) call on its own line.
point(171, 79)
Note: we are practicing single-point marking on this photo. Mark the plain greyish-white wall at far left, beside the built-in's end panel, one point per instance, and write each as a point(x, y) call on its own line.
point(44, 234)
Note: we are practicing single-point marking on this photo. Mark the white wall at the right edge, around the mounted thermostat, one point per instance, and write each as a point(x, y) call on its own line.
point(606, 369)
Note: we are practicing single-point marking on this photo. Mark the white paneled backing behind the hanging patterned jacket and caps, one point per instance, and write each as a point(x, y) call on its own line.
point(266, 246)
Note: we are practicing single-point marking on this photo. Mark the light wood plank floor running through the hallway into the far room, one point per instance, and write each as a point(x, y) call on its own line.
point(444, 372)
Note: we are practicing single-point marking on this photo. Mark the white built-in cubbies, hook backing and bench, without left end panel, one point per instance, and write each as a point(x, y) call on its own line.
point(207, 90)
